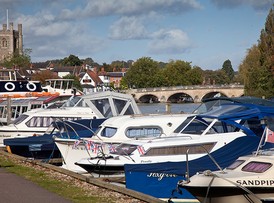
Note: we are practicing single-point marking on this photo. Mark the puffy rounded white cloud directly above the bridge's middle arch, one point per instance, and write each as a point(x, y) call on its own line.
point(169, 42)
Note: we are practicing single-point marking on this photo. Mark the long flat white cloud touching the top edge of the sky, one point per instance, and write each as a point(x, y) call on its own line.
point(129, 8)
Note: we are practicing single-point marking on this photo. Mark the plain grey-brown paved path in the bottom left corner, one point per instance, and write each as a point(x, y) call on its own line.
point(15, 189)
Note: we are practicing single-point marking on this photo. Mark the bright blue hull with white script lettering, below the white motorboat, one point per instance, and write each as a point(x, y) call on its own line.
point(145, 177)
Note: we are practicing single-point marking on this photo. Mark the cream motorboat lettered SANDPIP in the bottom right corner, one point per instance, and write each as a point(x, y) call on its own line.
point(249, 179)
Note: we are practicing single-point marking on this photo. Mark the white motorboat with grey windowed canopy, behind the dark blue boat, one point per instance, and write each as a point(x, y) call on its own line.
point(96, 105)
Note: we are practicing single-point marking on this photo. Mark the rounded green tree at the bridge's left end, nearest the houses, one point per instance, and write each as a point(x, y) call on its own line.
point(143, 73)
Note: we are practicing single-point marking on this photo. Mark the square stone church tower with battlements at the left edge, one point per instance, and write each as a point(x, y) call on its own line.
point(11, 41)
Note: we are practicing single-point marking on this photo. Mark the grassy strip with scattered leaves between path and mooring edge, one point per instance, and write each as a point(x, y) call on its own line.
point(67, 187)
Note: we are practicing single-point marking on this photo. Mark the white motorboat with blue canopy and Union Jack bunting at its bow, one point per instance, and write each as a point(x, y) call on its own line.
point(197, 135)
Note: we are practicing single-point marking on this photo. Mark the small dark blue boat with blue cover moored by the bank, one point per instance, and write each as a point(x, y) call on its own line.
point(43, 147)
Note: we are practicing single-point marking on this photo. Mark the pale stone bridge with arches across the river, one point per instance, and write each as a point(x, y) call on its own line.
point(185, 93)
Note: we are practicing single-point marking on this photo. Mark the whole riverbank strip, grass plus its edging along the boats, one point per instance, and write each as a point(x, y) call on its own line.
point(71, 186)
